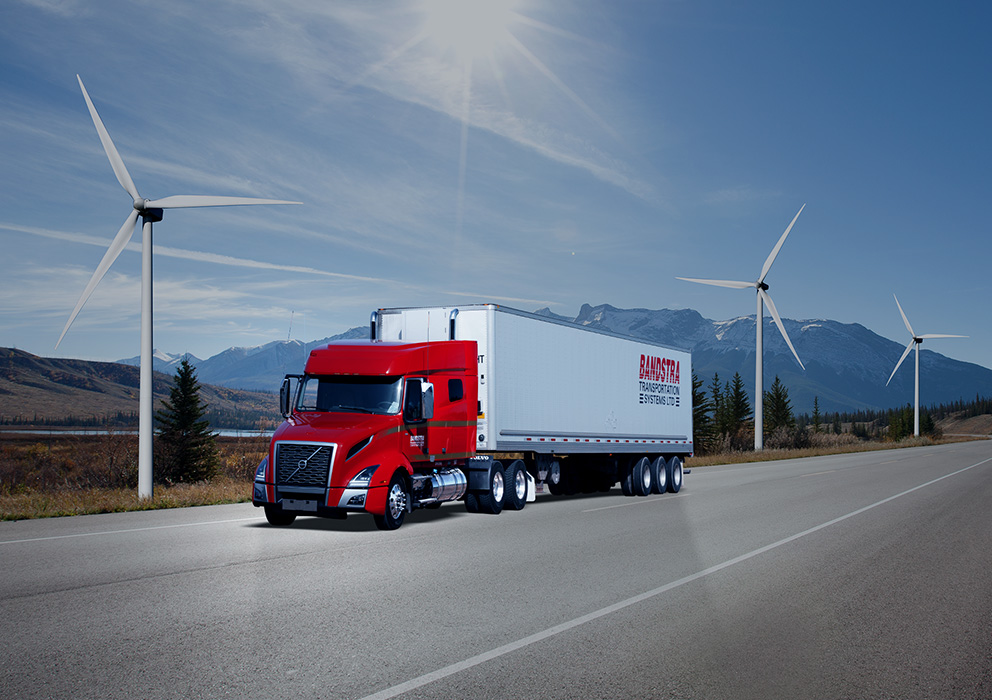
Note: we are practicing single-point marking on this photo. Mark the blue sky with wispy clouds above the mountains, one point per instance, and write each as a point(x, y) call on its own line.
point(561, 153)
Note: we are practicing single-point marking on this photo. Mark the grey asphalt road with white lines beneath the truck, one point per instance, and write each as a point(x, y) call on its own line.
point(855, 576)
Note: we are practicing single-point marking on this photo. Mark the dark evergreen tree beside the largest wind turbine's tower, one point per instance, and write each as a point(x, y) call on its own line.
point(187, 449)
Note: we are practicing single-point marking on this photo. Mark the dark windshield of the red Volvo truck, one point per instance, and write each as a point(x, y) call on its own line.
point(350, 394)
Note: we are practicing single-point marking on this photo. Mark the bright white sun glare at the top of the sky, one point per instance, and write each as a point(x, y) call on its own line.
point(471, 28)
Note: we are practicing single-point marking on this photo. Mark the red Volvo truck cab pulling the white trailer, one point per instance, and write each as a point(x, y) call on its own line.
point(372, 426)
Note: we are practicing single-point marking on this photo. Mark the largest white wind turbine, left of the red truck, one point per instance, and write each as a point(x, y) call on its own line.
point(150, 211)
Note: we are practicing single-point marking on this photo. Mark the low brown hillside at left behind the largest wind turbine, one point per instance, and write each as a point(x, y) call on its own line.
point(39, 390)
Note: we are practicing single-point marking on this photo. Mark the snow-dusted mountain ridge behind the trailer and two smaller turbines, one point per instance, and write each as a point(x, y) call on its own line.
point(847, 365)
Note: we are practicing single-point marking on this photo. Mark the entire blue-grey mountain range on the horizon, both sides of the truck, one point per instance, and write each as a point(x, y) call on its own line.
point(847, 365)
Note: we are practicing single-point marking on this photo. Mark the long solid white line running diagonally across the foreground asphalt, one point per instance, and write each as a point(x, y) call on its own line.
point(484, 657)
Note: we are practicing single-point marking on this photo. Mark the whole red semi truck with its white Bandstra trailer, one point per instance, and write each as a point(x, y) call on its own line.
point(479, 403)
